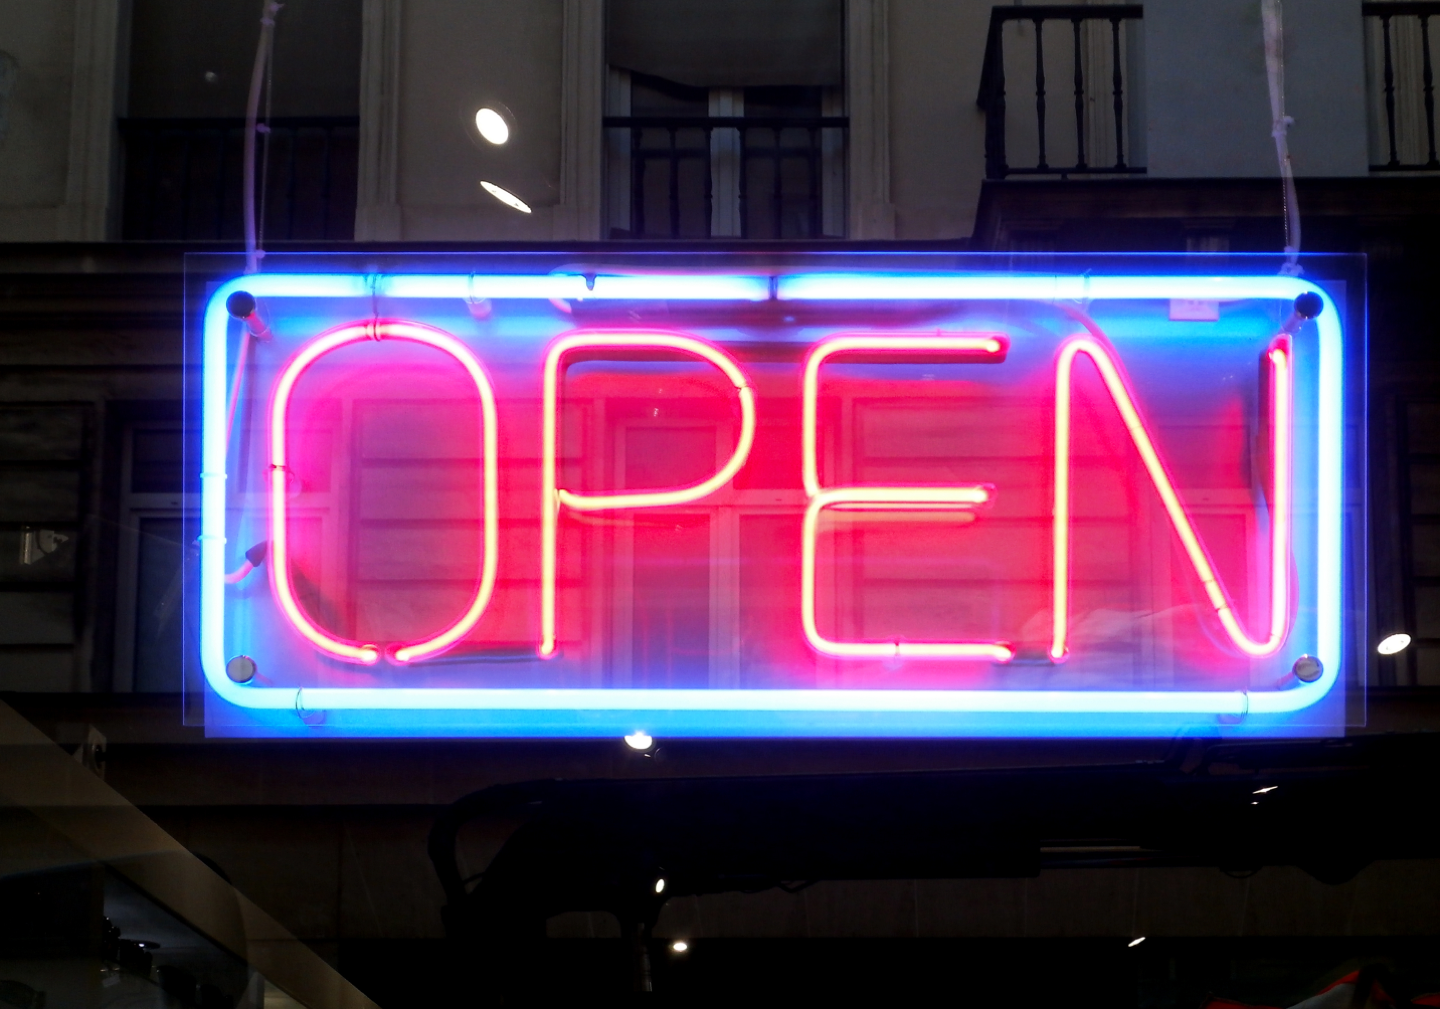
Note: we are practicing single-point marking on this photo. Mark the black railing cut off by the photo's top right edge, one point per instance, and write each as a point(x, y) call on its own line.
point(1399, 22)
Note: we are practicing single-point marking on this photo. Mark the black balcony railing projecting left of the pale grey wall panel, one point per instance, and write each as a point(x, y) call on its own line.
point(993, 87)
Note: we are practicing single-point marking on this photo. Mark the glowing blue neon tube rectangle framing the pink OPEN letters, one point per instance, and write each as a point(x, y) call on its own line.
point(601, 712)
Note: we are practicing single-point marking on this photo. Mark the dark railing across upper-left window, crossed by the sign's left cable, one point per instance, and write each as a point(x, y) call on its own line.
point(184, 178)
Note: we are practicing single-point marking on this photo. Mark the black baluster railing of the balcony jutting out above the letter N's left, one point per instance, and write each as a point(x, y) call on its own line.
point(1097, 42)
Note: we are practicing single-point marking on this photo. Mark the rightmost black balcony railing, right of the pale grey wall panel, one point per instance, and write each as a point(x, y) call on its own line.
point(1402, 86)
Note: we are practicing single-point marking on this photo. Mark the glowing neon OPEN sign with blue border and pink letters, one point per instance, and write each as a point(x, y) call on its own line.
point(784, 500)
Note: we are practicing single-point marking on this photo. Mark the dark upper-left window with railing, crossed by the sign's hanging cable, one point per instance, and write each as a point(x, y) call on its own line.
point(184, 139)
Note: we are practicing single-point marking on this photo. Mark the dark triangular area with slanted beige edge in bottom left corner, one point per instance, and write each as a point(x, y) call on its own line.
point(104, 910)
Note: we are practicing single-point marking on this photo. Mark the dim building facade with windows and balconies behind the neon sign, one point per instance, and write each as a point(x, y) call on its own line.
point(925, 125)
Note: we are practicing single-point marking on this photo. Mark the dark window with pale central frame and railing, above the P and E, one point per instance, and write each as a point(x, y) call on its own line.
point(725, 119)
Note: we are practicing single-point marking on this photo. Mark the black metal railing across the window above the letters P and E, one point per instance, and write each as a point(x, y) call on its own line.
point(780, 168)
